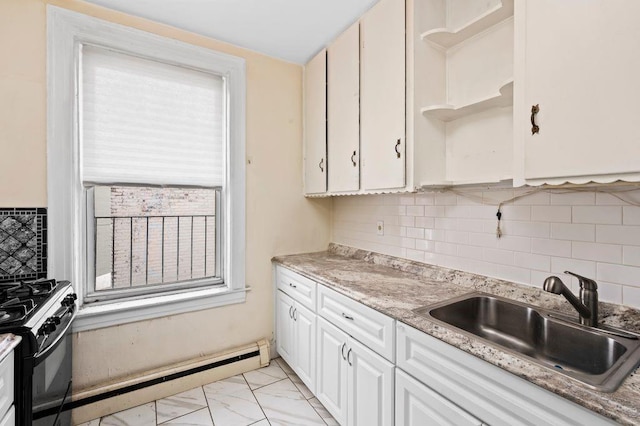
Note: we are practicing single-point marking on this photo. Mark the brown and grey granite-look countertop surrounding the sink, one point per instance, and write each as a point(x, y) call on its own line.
point(397, 286)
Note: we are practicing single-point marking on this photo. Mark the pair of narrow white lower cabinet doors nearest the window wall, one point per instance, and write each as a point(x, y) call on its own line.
point(296, 342)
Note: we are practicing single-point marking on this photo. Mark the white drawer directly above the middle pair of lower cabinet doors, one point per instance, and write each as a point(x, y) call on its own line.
point(372, 328)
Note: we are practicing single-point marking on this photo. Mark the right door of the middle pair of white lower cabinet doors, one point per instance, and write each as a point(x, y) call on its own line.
point(371, 386)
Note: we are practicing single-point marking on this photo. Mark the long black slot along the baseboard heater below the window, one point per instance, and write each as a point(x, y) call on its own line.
point(137, 386)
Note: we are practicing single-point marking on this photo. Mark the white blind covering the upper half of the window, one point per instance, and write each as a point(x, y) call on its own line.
point(148, 122)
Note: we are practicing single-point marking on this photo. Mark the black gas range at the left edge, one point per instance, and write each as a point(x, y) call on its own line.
point(41, 312)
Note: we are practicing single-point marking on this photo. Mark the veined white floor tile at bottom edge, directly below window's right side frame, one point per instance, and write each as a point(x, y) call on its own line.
point(232, 403)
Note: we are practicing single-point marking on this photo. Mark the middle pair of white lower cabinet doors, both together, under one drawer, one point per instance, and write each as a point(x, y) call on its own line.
point(354, 383)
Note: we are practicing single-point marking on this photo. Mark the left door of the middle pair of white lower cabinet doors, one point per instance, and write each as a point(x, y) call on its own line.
point(331, 374)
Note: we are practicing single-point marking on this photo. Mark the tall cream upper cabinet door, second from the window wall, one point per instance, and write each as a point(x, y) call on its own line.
point(343, 88)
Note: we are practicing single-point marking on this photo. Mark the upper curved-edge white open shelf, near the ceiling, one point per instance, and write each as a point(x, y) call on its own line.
point(447, 37)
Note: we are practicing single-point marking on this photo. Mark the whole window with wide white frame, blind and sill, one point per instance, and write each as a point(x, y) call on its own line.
point(146, 171)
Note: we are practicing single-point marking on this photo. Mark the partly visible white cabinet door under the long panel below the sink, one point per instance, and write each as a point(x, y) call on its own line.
point(417, 405)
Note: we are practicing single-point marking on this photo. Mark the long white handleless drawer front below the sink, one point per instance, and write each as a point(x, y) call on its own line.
point(484, 390)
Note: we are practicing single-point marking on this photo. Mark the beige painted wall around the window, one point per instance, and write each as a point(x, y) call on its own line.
point(279, 219)
